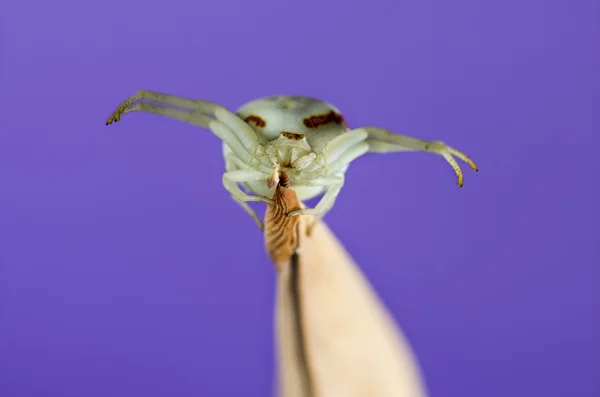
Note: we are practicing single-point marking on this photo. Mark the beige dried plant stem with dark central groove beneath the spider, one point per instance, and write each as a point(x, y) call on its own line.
point(335, 338)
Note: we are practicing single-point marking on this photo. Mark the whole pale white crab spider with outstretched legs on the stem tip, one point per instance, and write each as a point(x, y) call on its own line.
point(306, 137)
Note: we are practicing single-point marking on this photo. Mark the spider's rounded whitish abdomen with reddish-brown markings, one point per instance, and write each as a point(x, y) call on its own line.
point(293, 117)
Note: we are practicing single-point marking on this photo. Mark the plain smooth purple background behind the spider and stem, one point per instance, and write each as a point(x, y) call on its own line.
point(126, 269)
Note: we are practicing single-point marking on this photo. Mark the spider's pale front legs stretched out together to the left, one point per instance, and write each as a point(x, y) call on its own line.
point(236, 127)
